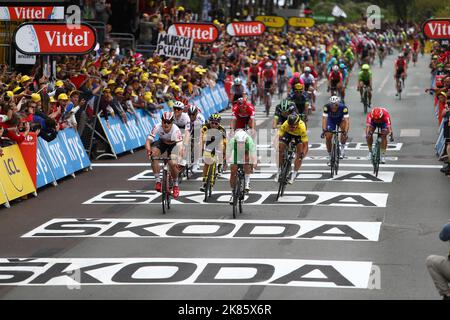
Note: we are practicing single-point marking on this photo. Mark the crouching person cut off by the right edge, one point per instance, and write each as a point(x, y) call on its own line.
point(439, 267)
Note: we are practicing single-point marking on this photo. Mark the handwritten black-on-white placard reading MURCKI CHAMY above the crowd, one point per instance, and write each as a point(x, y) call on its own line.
point(174, 46)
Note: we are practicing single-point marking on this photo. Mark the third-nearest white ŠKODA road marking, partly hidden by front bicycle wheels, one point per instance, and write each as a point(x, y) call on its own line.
point(341, 199)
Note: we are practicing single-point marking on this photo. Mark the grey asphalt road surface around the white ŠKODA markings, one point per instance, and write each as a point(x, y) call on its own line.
point(417, 207)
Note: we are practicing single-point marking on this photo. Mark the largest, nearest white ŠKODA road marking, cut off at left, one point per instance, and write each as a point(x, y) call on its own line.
point(180, 271)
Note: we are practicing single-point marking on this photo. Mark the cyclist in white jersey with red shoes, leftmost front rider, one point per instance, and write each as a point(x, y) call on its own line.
point(170, 141)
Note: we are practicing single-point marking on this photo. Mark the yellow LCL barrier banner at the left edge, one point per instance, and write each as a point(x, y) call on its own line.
point(14, 177)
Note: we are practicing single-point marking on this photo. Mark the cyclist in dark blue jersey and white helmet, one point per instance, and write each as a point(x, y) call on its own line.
point(335, 114)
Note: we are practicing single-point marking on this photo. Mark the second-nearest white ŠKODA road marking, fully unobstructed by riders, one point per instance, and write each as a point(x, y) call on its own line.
point(208, 228)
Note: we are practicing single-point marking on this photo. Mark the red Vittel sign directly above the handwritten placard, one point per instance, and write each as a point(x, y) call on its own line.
point(200, 32)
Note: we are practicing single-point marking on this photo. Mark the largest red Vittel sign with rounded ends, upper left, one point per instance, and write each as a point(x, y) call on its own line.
point(35, 38)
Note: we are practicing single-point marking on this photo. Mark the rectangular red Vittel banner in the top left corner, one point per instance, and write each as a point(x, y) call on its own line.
point(31, 13)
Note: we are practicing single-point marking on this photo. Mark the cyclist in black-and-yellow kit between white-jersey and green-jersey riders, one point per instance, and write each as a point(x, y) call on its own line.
point(213, 135)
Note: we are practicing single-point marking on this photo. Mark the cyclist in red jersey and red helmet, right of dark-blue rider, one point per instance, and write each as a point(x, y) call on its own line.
point(379, 117)
